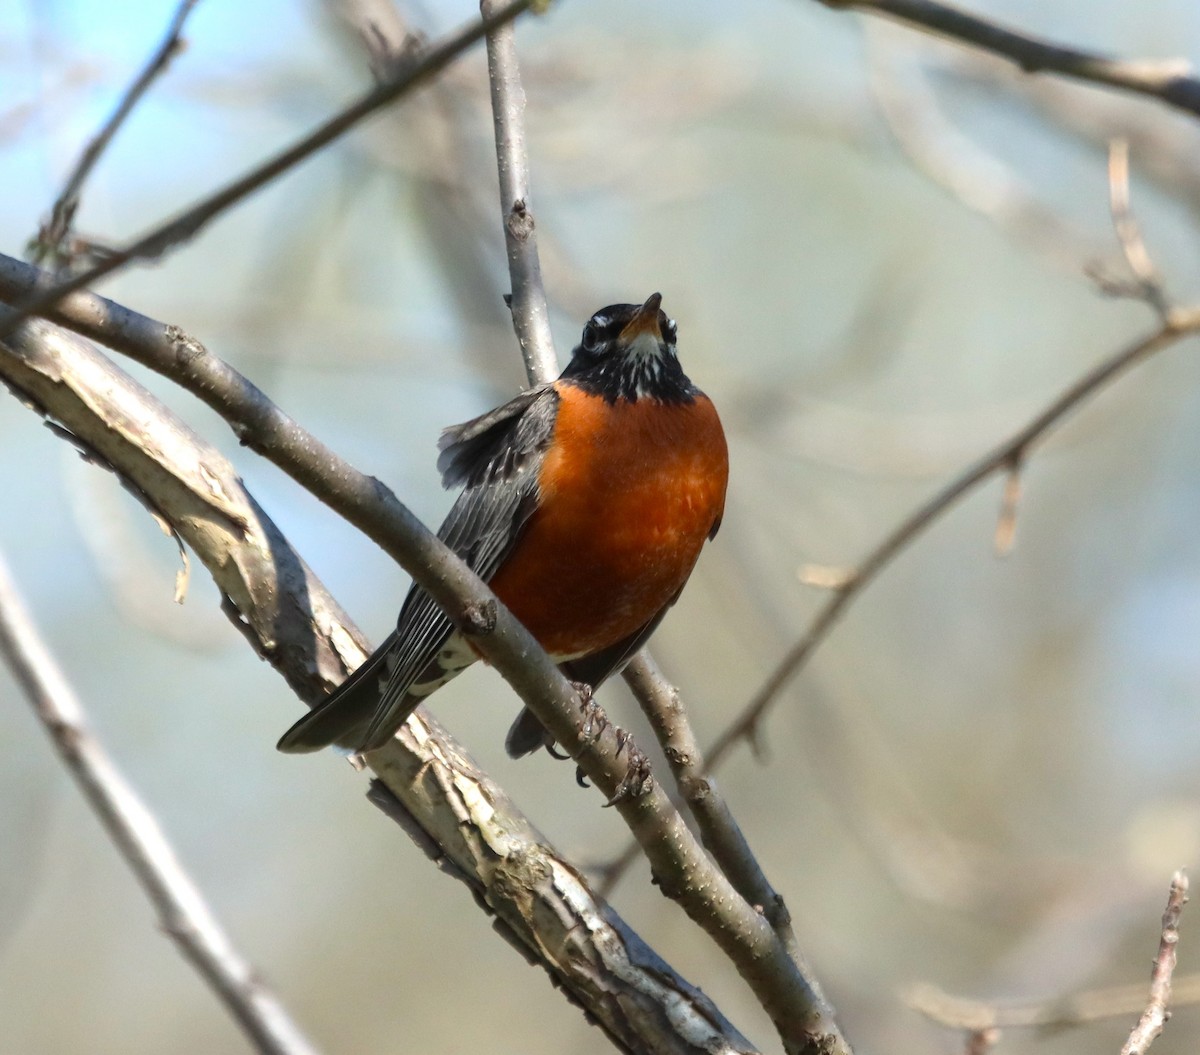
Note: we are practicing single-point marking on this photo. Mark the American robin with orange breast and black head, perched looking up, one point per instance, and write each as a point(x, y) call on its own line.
point(585, 506)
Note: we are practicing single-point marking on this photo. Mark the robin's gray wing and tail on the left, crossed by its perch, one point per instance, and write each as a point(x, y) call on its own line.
point(497, 457)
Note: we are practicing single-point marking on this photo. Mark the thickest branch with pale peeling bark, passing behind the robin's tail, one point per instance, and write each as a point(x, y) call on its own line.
point(289, 618)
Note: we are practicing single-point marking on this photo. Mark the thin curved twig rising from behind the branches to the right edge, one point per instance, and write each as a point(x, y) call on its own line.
point(1180, 323)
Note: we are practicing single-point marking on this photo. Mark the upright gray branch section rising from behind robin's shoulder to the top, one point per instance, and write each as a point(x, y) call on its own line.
point(531, 316)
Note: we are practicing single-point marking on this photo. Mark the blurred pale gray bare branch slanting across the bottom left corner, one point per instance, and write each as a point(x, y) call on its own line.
point(183, 913)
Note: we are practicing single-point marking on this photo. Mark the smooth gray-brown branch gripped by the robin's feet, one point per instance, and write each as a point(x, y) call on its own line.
point(680, 864)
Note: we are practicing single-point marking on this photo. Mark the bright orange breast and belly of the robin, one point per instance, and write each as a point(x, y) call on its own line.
point(629, 493)
